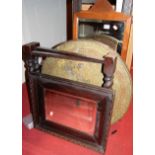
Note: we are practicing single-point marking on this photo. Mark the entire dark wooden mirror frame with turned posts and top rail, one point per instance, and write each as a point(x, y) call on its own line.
point(38, 82)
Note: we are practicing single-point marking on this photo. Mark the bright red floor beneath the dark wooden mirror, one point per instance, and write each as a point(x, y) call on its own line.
point(36, 142)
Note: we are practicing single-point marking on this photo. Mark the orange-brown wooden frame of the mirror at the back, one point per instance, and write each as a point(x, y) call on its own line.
point(107, 16)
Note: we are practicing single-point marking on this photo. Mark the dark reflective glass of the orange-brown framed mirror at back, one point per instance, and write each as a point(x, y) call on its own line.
point(99, 29)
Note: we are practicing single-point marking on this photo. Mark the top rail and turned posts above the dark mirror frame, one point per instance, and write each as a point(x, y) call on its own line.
point(32, 52)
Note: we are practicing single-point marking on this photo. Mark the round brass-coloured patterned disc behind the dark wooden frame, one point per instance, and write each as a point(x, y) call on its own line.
point(90, 73)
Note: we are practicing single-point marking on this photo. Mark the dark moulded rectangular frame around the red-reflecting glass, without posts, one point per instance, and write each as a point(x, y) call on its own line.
point(104, 103)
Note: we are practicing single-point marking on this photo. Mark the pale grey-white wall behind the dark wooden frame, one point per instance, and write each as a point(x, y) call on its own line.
point(43, 21)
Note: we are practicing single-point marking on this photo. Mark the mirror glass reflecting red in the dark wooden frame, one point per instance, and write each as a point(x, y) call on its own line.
point(75, 112)
